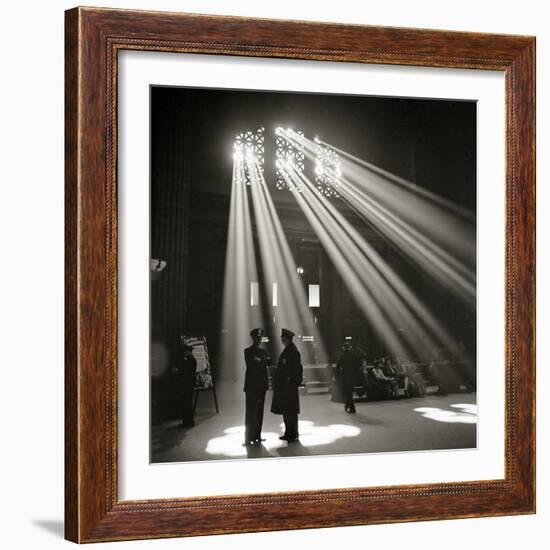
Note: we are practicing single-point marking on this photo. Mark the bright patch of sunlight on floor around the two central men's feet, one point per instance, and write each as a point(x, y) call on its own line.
point(231, 443)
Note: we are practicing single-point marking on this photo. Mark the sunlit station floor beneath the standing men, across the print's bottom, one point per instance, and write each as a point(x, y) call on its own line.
point(429, 423)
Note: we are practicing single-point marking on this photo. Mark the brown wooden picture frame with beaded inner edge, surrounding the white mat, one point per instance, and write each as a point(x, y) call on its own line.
point(94, 37)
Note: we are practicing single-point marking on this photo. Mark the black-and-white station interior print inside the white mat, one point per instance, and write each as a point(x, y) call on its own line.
point(312, 274)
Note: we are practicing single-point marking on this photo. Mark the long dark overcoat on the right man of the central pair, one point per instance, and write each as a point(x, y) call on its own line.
point(287, 379)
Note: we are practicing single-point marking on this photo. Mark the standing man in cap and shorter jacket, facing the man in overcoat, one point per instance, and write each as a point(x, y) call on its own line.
point(255, 386)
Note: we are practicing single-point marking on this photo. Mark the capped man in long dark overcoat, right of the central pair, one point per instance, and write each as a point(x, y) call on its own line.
point(288, 378)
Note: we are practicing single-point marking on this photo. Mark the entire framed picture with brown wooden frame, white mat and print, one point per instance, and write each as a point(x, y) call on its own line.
point(300, 275)
